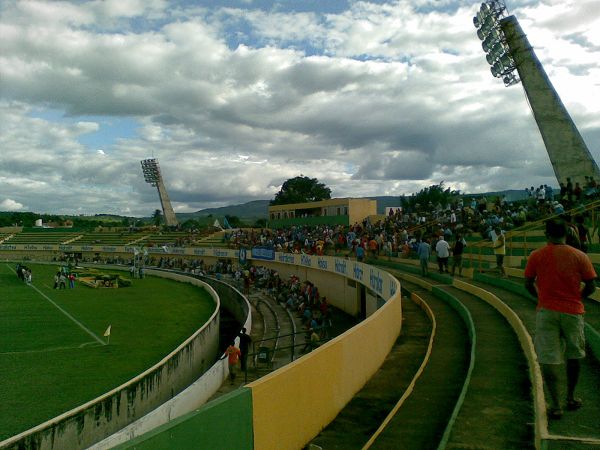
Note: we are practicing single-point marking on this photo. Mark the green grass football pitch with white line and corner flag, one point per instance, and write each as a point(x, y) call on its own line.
point(53, 355)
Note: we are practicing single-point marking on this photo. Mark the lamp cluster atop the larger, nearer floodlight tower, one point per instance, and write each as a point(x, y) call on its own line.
point(497, 52)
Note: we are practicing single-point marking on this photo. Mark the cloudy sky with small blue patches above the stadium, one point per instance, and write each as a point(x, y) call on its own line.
point(236, 96)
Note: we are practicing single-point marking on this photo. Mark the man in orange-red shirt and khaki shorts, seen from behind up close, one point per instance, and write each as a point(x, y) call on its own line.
point(558, 270)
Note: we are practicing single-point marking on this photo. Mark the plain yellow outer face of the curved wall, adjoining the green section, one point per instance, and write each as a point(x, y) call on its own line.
point(292, 405)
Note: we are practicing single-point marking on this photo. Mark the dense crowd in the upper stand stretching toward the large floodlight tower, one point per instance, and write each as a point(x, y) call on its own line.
point(401, 230)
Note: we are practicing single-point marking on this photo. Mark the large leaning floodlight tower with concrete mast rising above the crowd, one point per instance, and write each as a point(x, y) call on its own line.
point(508, 51)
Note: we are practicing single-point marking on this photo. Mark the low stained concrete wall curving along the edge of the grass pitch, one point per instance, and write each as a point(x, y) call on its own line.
point(93, 421)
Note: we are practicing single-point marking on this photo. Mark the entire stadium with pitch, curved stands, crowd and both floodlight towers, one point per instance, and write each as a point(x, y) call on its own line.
point(334, 325)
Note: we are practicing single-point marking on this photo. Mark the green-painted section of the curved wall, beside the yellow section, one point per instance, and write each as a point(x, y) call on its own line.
point(223, 423)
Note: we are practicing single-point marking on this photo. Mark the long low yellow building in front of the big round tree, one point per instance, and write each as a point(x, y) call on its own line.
point(335, 211)
